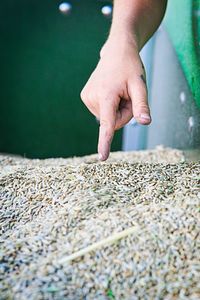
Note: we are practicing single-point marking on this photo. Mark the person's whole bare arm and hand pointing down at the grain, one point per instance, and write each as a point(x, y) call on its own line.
point(116, 91)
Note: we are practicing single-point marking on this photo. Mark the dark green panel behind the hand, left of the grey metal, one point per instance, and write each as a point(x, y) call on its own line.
point(45, 59)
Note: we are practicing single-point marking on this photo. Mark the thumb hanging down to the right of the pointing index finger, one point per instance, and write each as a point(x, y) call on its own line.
point(138, 95)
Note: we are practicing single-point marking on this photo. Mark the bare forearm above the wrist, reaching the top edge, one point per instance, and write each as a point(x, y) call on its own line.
point(136, 20)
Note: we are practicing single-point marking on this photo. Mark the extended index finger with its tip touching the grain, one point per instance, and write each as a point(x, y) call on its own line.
point(107, 128)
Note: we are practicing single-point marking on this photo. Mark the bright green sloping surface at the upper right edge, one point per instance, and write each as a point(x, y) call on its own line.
point(182, 21)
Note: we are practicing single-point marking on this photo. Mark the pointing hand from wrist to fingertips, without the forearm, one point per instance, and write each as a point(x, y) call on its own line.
point(116, 91)
